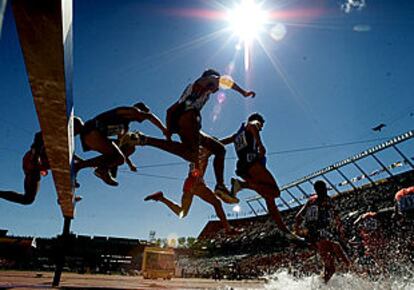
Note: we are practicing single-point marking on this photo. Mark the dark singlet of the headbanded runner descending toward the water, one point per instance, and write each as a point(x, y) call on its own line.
point(245, 145)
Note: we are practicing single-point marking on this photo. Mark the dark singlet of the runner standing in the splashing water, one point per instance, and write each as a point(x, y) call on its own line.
point(319, 217)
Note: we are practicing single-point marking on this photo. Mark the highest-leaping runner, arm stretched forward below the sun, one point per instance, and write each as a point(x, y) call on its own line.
point(184, 119)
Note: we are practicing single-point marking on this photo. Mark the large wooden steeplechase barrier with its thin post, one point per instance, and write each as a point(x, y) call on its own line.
point(45, 33)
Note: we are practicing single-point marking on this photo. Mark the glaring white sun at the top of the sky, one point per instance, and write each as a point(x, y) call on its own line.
point(247, 20)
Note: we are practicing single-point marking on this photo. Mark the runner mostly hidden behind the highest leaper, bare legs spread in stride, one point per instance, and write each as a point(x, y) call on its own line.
point(194, 185)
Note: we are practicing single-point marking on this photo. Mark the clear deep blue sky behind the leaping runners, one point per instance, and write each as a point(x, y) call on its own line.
point(325, 72)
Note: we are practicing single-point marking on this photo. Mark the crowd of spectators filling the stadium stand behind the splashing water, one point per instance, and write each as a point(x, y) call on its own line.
point(260, 249)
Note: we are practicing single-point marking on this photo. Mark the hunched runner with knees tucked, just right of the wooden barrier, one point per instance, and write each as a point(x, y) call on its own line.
point(96, 132)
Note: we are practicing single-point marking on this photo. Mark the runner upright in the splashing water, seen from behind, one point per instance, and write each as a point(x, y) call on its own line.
point(321, 227)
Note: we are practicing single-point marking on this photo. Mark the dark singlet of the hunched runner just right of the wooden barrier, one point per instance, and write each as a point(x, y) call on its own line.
point(111, 124)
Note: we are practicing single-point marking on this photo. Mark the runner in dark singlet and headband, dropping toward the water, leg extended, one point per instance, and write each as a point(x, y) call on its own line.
point(251, 167)
